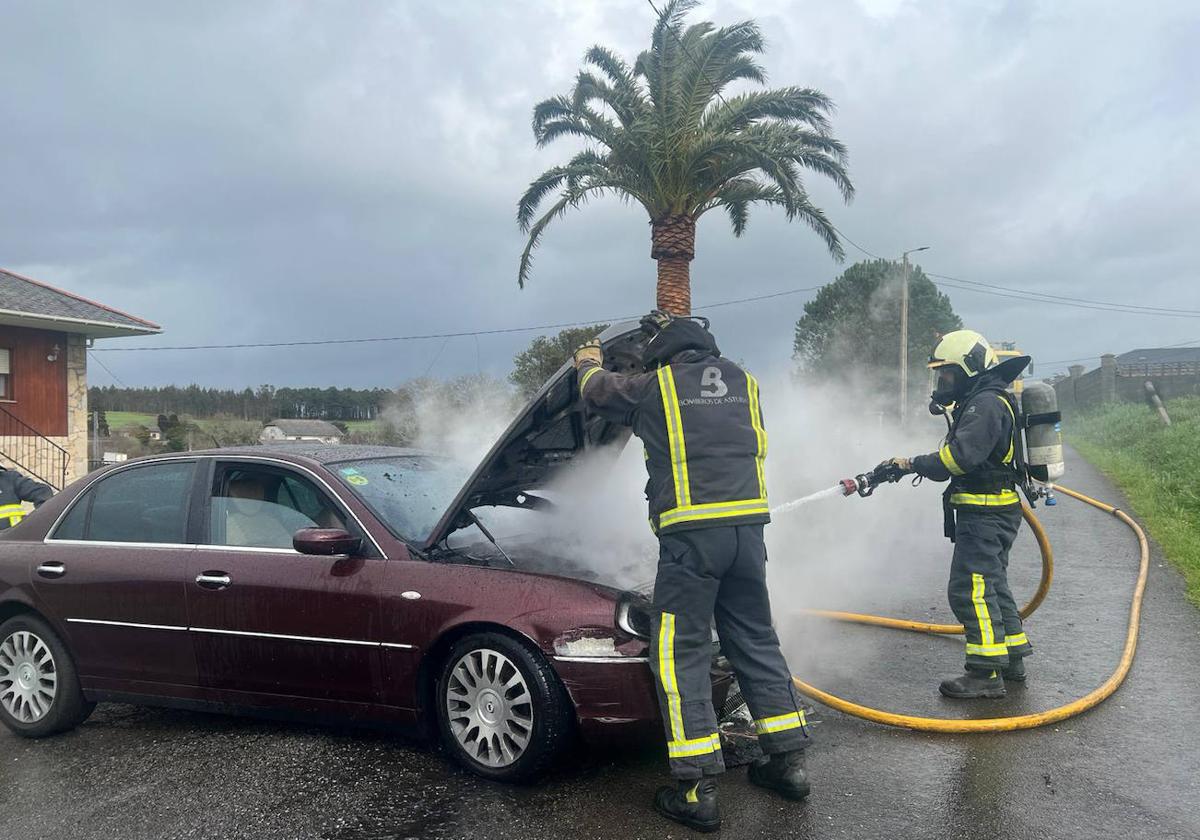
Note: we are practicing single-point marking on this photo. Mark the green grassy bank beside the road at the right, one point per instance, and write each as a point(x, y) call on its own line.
point(1156, 467)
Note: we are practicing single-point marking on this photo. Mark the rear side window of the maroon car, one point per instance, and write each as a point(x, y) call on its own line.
point(142, 505)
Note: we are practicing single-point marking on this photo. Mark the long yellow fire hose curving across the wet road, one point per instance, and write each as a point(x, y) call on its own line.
point(1027, 722)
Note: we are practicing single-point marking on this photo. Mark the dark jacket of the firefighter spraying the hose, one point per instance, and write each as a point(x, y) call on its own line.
point(979, 457)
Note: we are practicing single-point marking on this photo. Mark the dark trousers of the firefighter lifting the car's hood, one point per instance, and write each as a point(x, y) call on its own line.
point(718, 573)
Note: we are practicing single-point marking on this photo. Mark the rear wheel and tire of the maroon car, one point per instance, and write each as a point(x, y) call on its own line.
point(40, 692)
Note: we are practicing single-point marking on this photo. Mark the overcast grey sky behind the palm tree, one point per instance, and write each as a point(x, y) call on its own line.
point(245, 172)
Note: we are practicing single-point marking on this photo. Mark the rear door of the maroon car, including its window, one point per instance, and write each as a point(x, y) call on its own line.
point(113, 572)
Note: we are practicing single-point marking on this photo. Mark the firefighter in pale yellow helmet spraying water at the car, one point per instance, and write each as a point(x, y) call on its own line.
point(983, 511)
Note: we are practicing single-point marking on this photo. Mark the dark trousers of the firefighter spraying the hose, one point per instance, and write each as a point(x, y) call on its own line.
point(979, 590)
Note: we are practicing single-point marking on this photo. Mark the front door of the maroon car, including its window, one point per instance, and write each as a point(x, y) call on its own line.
point(268, 622)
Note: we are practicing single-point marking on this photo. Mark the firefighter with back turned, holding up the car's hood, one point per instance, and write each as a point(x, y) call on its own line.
point(700, 421)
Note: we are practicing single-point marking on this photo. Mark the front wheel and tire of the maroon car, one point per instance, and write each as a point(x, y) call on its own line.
point(501, 710)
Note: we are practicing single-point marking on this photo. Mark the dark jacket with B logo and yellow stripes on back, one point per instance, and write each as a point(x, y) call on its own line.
point(701, 424)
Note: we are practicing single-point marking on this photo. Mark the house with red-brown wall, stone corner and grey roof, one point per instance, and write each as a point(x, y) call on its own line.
point(45, 335)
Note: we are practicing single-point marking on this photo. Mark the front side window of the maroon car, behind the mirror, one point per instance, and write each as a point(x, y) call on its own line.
point(262, 508)
